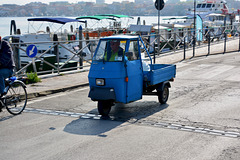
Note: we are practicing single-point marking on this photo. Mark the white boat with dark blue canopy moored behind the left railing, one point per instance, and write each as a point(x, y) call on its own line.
point(44, 39)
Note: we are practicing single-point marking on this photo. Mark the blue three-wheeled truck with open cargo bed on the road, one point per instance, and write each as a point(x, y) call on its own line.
point(118, 73)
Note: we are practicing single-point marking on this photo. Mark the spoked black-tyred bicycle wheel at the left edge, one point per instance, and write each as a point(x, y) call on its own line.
point(16, 98)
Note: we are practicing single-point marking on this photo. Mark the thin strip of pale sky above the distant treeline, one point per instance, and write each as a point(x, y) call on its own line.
point(23, 2)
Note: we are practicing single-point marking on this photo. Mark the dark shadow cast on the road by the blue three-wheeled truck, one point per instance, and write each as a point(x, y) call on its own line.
point(120, 113)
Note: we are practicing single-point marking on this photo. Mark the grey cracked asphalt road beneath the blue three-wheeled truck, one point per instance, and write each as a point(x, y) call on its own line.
point(200, 121)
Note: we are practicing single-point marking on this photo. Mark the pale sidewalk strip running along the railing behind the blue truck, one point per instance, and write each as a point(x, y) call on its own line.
point(69, 80)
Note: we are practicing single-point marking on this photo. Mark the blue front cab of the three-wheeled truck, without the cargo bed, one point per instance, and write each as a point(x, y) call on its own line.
point(117, 78)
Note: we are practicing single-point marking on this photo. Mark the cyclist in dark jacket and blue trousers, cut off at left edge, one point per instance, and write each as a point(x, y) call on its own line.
point(6, 65)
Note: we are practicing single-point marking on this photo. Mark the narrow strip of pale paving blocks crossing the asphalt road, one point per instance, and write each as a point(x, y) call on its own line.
point(172, 126)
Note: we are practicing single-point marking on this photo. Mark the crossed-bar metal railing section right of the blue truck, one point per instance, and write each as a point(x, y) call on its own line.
point(183, 41)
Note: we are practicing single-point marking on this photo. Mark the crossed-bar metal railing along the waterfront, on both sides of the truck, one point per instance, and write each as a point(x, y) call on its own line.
point(170, 42)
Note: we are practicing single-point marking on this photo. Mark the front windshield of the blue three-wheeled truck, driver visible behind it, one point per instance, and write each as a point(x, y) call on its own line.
point(110, 51)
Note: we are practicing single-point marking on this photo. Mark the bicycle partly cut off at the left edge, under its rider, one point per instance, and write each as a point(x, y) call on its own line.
point(15, 96)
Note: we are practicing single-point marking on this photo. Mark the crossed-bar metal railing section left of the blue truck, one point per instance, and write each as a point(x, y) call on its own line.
point(55, 64)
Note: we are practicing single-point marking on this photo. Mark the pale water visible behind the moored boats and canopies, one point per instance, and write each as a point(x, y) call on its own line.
point(22, 23)
